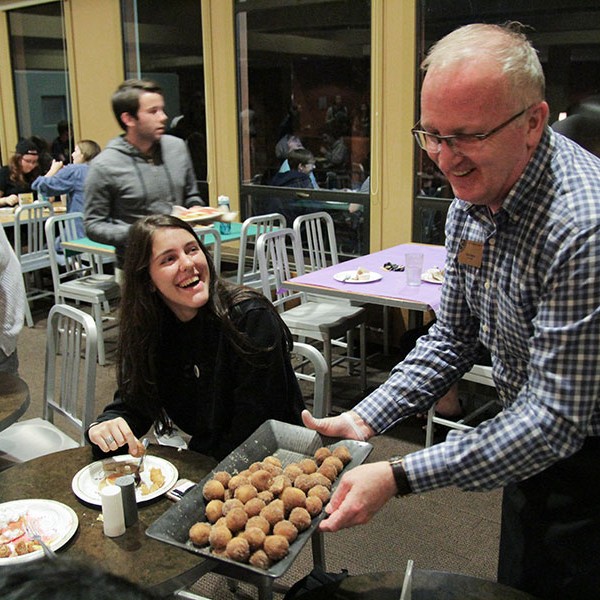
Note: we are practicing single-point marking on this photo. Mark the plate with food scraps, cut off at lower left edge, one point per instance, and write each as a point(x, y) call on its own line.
point(55, 522)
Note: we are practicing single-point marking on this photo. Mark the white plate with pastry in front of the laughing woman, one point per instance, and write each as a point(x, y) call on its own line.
point(158, 476)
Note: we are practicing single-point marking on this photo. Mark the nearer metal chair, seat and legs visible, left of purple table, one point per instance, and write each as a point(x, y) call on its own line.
point(323, 321)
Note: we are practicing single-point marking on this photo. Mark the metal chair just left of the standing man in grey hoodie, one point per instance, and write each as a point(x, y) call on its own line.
point(79, 280)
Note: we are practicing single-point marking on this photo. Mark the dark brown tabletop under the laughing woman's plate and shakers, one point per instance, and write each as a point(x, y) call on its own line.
point(134, 555)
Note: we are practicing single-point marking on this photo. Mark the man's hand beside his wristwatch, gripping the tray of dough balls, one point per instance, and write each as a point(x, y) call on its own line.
point(360, 494)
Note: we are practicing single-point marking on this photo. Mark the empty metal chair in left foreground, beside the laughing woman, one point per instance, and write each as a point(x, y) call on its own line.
point(69, 388)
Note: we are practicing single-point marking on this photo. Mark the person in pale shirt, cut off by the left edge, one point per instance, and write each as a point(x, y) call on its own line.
point(12, 305)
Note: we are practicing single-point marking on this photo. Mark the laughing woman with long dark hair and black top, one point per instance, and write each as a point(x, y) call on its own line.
point(209, 356)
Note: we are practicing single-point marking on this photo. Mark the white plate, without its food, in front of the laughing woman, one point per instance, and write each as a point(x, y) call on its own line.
point(86, 482)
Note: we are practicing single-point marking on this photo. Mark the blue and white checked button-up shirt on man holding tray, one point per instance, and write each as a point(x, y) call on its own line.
point(534, 304)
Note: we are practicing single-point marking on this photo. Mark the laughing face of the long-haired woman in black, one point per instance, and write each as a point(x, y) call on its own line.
point(179, 271)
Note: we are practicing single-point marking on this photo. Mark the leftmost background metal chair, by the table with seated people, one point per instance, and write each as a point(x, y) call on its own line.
point(31, 249)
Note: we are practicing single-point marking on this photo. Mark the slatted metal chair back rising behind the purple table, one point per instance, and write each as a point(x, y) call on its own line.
point(316, 233)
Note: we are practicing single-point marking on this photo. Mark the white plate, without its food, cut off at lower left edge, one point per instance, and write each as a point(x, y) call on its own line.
point(55, 521)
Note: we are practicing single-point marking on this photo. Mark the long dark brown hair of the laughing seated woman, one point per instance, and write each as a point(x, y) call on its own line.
point(143, 310)
